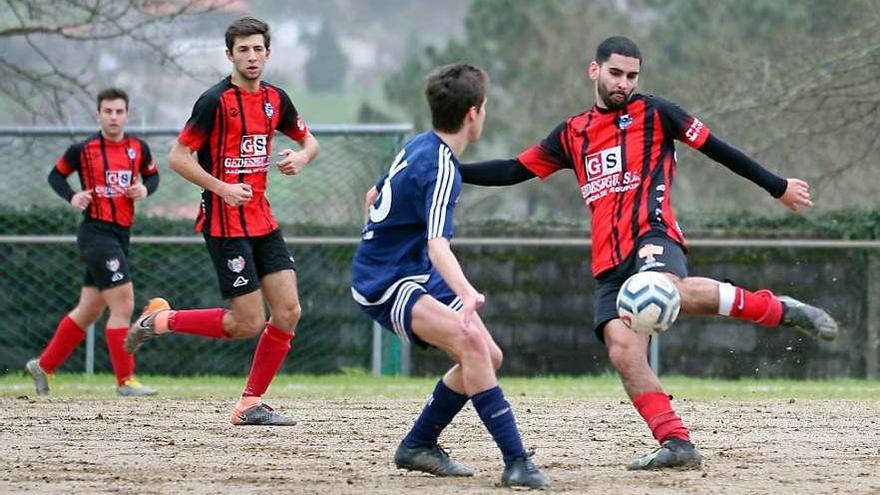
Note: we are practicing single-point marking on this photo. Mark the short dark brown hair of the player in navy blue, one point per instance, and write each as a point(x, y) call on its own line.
point(451, 91)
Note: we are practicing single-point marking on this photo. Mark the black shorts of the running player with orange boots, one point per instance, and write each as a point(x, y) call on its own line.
point(242, 261)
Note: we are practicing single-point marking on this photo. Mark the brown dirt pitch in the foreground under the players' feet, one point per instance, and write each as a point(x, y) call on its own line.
point(345, 447)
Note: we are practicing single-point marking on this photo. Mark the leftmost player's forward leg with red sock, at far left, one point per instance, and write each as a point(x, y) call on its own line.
point(68, 335)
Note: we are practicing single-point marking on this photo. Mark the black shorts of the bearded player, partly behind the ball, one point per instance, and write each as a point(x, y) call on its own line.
point(654, 252)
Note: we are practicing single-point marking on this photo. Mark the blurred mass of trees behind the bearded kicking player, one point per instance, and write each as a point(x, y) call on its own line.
point(793, 82)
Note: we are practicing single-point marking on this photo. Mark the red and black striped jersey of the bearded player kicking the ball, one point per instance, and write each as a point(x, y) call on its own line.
point(625, 162)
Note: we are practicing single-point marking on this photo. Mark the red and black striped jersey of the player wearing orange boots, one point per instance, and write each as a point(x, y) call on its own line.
point(231, 130)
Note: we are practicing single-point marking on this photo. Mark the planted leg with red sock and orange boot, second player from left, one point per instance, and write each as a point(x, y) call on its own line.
point(280, 290)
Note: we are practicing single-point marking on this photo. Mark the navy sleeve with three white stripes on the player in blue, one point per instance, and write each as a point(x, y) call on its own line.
point(440, 197)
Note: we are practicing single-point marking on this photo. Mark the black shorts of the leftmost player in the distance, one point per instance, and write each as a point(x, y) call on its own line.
point(103, 247)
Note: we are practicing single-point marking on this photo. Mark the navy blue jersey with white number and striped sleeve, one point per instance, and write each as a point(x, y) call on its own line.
point(416, 202)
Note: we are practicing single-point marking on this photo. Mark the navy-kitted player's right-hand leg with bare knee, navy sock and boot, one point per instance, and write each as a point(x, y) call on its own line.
point(439, 325)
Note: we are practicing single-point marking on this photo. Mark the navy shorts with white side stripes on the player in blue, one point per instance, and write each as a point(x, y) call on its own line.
point(393, 310)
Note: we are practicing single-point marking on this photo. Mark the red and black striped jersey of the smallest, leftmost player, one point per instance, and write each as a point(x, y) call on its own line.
point(107, 168)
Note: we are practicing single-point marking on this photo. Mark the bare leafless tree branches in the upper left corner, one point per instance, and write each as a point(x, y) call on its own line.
point(43, 69)
